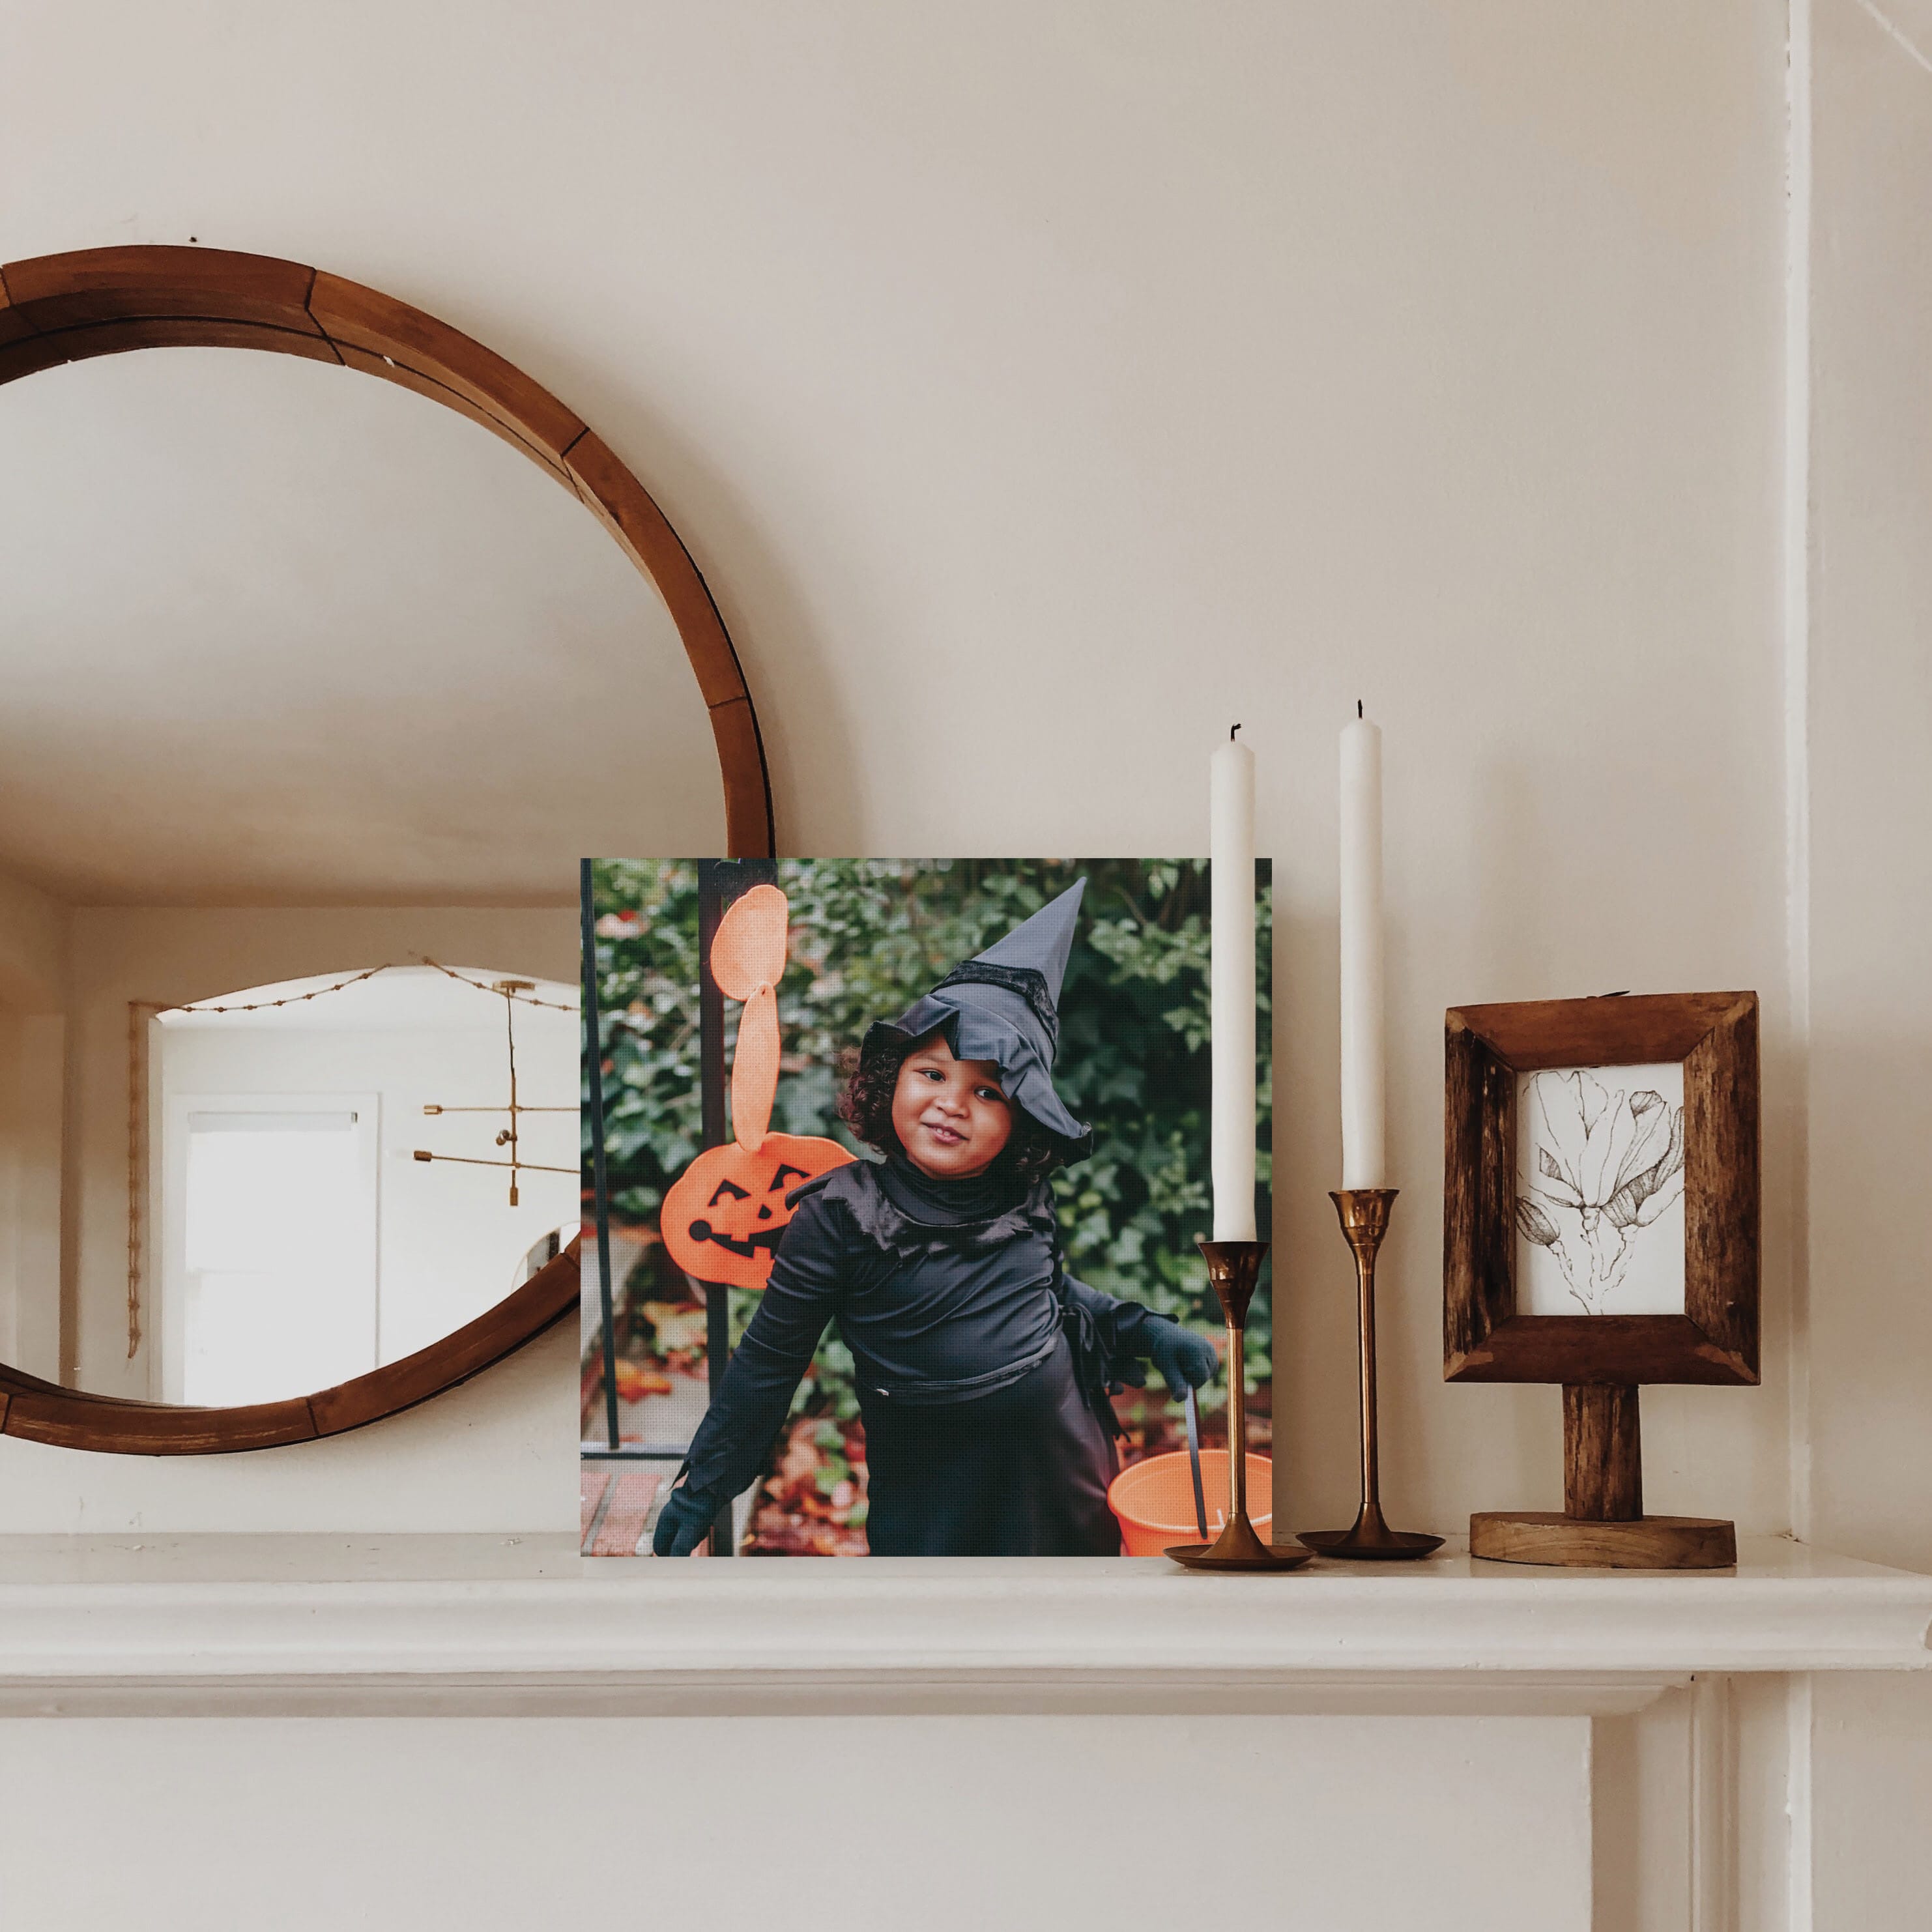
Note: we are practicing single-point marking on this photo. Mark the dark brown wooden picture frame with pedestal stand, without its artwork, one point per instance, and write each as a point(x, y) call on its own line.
point(1601, 1359)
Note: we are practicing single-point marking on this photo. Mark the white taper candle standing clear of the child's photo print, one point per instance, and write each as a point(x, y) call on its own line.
point(1363, 1046)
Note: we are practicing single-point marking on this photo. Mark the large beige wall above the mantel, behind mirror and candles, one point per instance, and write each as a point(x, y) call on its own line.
point(1042, 391)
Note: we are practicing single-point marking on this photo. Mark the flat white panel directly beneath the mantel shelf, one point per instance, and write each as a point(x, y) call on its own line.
point(499, 1825)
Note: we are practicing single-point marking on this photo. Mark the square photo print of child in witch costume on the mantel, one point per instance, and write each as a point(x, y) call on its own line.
point(967, 1295)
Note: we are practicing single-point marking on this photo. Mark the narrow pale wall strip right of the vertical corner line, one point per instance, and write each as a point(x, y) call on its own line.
point(1865, 1440)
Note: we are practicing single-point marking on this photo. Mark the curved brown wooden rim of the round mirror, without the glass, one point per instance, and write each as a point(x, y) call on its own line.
point(109, 302)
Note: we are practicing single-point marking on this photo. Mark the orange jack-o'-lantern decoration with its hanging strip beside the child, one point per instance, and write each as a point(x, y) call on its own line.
point(724, 1216)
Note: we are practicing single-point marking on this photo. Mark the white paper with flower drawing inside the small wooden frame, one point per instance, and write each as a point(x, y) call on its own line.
point(1601, 1181)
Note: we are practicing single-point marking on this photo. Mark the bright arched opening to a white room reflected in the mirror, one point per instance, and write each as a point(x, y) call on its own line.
point(304, 1239)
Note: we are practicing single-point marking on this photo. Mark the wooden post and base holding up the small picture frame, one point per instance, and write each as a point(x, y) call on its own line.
point(1603, 1523)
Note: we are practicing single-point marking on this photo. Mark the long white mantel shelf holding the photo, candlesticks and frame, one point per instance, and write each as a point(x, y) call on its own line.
point(445, 1624)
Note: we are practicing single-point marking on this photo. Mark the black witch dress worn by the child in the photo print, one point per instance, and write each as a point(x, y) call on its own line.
point(982, 1367)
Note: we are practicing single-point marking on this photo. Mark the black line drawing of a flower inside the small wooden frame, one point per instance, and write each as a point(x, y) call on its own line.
point(1606, 1166)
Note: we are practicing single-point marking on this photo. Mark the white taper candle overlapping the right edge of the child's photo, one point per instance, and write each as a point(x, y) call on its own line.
point(1232, 988)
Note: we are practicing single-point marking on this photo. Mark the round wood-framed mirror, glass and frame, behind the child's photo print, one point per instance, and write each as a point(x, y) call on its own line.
point(312, 702)
